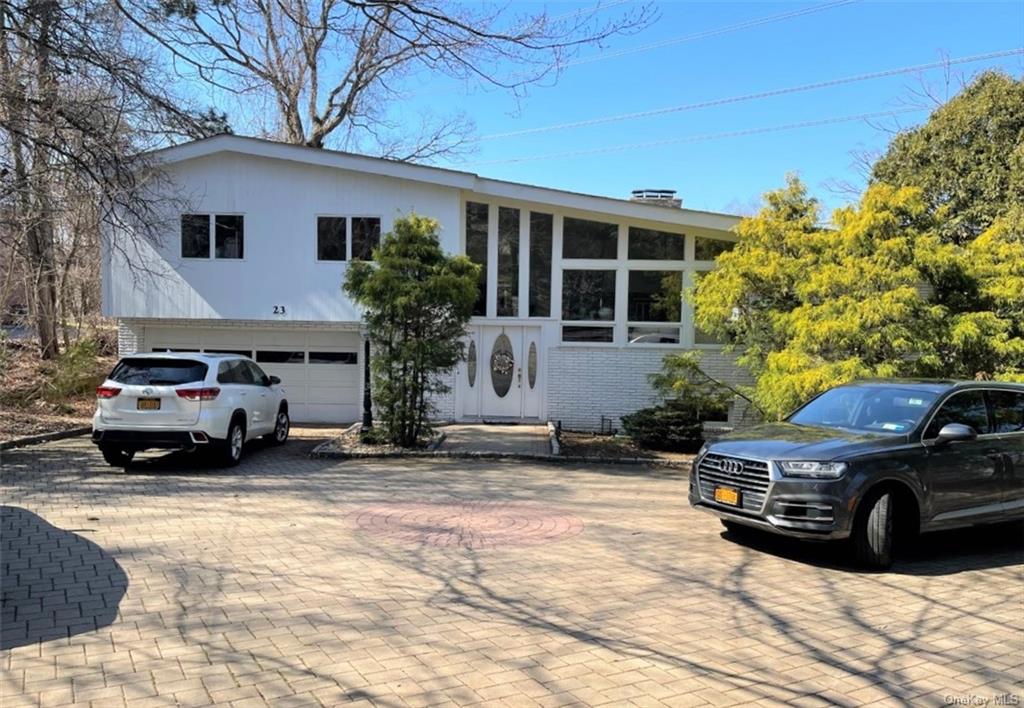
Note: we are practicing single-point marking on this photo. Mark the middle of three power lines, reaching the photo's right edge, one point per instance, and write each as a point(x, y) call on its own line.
point(754, 97)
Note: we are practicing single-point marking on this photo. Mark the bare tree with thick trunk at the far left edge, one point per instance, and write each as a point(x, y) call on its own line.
point(78, 106)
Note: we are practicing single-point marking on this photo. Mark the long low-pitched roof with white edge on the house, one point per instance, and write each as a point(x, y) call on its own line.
point(470, 182)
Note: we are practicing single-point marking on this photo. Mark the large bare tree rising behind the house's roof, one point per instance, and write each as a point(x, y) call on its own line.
point(335, 68)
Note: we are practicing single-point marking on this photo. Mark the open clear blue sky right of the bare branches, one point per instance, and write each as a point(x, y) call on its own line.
point(731, 175)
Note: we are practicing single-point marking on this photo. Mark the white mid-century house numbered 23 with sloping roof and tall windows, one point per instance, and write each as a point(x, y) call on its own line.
point(580, 296)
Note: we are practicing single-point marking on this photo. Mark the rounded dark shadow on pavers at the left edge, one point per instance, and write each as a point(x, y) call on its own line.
point(55, 584)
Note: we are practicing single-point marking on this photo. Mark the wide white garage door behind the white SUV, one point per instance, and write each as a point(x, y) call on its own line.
point(320, 370)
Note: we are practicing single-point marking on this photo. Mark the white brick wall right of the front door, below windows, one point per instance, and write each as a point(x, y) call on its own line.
point(585, 384)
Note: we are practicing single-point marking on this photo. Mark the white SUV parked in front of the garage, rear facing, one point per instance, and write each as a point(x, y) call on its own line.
point(188, 401)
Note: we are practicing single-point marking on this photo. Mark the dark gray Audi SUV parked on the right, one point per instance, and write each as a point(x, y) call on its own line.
point(873, 462)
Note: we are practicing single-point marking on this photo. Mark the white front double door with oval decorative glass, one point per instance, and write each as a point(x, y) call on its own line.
point(505, 379)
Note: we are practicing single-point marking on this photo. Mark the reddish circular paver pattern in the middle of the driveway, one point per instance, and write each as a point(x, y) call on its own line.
point(472, 525)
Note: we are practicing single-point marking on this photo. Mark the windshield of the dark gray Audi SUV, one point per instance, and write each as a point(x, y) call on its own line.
point(873, 409)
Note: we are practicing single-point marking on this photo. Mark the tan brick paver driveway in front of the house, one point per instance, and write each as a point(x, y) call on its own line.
point(289, 581)
